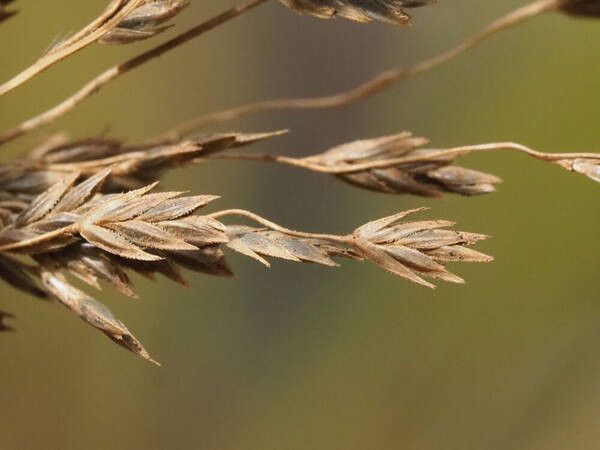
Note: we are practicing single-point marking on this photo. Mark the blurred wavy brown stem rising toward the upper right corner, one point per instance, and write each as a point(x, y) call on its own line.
point(374, 86)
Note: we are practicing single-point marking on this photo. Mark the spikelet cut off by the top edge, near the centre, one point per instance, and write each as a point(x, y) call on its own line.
point(391, 11)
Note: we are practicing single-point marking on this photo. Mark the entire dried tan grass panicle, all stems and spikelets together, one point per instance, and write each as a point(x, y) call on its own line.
point(88, 209)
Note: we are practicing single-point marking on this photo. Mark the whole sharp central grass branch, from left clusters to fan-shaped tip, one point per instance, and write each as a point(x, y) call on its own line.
point(97, 237)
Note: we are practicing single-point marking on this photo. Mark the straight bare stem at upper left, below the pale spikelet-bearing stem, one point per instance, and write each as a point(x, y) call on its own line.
point(104, 78)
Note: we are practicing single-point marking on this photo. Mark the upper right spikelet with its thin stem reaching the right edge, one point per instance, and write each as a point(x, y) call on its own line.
point(399, 164)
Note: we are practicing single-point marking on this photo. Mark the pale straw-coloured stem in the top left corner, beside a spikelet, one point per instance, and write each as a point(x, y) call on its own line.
point(111, 17)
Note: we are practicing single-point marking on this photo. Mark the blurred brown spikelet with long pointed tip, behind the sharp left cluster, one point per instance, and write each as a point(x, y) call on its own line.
point(132, 167)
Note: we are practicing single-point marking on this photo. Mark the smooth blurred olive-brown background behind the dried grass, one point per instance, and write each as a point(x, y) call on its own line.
point(306, 357)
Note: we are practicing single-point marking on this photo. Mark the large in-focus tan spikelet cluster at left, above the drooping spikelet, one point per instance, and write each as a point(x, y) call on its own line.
point(125, 225)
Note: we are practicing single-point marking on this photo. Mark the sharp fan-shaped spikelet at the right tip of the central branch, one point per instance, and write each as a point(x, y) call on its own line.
point(416, 249)
